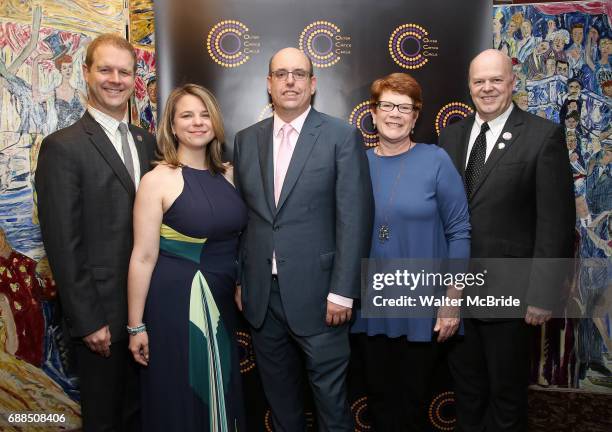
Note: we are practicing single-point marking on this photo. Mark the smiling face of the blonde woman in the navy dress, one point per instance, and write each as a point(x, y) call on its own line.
point(191, 122)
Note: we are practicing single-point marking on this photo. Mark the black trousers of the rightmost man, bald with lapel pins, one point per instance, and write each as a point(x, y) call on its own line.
point(490, 367)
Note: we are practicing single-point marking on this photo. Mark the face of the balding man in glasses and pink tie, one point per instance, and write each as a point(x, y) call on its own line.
point(290, 96)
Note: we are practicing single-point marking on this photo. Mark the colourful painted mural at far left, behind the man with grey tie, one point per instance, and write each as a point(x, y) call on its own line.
point(42, 48)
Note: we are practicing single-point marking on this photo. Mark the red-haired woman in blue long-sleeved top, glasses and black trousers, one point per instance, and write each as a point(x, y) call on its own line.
point(421, 212)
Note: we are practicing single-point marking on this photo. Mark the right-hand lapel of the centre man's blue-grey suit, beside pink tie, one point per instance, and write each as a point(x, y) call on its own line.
point(303, 148)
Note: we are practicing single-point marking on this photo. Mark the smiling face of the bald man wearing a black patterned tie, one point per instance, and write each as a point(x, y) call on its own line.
point(491, 81)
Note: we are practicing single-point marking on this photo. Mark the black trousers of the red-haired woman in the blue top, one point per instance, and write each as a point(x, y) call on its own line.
point(398, 377)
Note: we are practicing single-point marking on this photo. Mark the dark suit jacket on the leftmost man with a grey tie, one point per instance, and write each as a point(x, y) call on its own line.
point(85, 199)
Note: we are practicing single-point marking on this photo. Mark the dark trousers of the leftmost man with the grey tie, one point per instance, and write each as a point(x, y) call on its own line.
point(110, 396)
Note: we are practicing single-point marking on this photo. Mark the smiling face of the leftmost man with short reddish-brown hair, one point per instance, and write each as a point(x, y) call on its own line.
point(110, 80)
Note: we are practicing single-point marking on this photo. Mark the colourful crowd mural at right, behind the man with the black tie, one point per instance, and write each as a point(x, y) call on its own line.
point(561, 56)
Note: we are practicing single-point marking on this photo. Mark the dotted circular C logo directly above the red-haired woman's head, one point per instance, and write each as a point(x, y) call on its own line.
point(406, 46)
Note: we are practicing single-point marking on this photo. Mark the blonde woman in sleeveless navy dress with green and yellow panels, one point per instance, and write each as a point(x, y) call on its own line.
point(182, 315)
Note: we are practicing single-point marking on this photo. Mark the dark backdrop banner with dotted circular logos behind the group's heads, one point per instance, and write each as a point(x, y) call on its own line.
point(226, 46)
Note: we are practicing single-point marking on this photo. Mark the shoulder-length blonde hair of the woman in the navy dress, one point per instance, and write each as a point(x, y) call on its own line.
point(167, 144)
